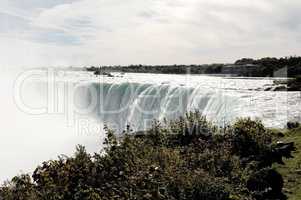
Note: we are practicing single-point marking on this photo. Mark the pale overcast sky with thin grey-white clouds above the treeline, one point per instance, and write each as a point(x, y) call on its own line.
point(89, 32)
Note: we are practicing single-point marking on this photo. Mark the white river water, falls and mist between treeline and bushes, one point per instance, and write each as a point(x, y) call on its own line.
point(48, 112)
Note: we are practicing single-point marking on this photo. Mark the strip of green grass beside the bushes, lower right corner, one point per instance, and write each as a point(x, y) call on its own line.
point(291, 171)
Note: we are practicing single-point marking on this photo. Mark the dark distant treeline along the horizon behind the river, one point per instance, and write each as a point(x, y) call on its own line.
point(264, 67)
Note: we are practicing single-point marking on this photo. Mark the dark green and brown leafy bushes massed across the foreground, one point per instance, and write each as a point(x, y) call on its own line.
point(188, 158)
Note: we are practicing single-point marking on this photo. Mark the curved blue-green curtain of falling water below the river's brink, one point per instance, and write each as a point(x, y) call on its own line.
point(138, 104)
